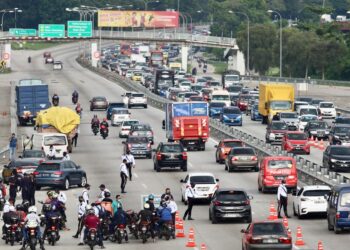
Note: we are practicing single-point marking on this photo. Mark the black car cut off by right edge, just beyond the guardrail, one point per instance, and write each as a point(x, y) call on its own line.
point(337, 158)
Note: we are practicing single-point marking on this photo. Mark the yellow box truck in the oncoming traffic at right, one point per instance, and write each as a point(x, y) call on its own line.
point(275, 98)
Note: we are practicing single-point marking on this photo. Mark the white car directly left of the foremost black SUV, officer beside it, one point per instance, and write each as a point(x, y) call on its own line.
point(205, 185)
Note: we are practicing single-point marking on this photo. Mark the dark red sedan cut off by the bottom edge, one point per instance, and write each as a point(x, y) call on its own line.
point(266, 235)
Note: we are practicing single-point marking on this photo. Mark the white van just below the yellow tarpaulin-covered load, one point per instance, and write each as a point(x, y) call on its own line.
point(43, 141)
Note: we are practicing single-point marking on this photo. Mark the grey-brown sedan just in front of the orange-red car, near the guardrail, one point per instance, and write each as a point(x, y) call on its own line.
point(241, 158)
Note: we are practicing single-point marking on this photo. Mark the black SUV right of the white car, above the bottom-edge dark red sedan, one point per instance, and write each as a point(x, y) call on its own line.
point(230, 204)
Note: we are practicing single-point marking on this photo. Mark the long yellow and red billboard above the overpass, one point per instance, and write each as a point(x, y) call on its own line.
point(138, 19)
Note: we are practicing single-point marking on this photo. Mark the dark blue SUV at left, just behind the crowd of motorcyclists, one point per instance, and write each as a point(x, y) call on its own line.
point(61, 174)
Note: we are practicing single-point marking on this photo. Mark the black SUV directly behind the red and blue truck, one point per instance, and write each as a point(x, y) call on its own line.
point(170, 155)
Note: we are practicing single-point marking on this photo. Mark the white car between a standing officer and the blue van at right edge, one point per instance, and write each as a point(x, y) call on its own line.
point(310, 199)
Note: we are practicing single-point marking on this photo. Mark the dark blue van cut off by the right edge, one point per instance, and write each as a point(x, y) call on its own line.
point(338, 208)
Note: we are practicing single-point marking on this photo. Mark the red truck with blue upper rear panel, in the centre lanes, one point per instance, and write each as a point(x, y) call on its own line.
point(187, 123)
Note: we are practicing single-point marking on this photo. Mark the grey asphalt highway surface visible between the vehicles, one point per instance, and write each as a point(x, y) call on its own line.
point(101, 159)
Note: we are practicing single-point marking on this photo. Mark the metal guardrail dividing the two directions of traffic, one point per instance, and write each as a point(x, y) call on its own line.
point(309, 172)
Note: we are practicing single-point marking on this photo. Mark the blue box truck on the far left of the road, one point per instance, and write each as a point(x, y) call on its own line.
point(32, 96)
